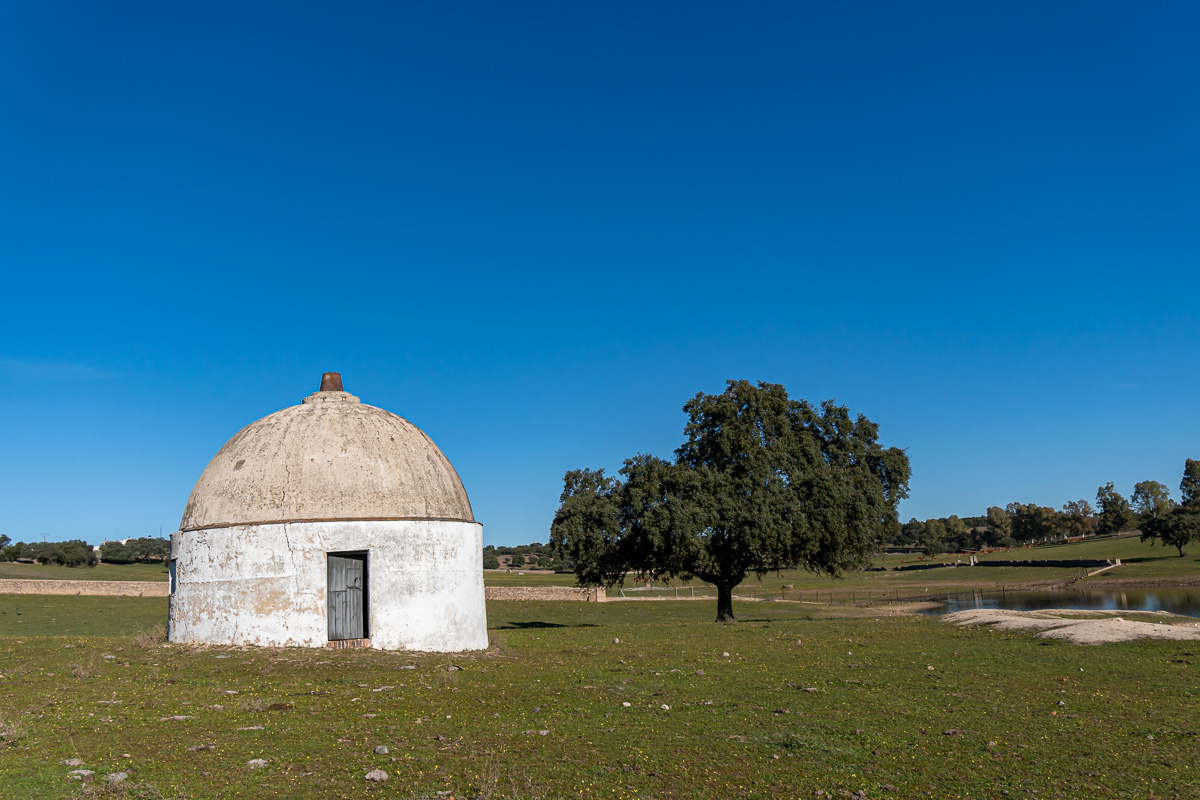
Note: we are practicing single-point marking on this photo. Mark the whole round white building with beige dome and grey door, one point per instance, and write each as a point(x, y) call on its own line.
point(332, 524)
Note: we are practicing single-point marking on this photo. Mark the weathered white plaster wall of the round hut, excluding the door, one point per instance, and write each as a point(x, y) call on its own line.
point(266, 585)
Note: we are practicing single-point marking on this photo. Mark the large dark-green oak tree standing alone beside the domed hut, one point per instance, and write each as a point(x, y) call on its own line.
point(764, 483)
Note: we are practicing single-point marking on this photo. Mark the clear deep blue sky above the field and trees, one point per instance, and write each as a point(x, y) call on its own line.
point(536, 230)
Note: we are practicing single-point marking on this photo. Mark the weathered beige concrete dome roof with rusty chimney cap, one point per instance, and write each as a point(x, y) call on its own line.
point(329, 459)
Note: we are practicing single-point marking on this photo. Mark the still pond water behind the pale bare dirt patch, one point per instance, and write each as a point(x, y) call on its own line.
point(1177, 600)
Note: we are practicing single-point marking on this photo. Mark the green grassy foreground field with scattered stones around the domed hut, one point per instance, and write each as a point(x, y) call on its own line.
point(559, 708)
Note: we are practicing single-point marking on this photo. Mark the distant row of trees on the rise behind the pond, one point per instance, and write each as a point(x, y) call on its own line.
point(1150, 509)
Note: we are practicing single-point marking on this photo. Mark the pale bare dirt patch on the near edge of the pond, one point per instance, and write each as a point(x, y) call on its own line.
point(1082, 628)
